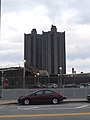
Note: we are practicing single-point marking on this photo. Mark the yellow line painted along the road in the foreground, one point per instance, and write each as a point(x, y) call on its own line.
point(44, 115)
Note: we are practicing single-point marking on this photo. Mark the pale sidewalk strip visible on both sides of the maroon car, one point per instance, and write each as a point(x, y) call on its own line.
point(69, 100)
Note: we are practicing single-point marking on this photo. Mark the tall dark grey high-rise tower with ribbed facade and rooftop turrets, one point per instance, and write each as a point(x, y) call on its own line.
point(45, 51)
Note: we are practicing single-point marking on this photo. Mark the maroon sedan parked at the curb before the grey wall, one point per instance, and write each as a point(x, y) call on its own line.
point(42, 96)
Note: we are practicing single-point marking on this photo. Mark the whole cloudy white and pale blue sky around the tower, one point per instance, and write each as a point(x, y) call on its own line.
point(21, 16)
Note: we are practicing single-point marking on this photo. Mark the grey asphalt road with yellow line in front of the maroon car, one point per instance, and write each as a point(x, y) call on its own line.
point(63, 111)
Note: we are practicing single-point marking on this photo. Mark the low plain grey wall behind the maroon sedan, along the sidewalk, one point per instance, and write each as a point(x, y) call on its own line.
point(13, 94)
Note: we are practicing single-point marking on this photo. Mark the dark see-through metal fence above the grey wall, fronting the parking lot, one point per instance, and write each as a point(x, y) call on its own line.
point(17, 82)
